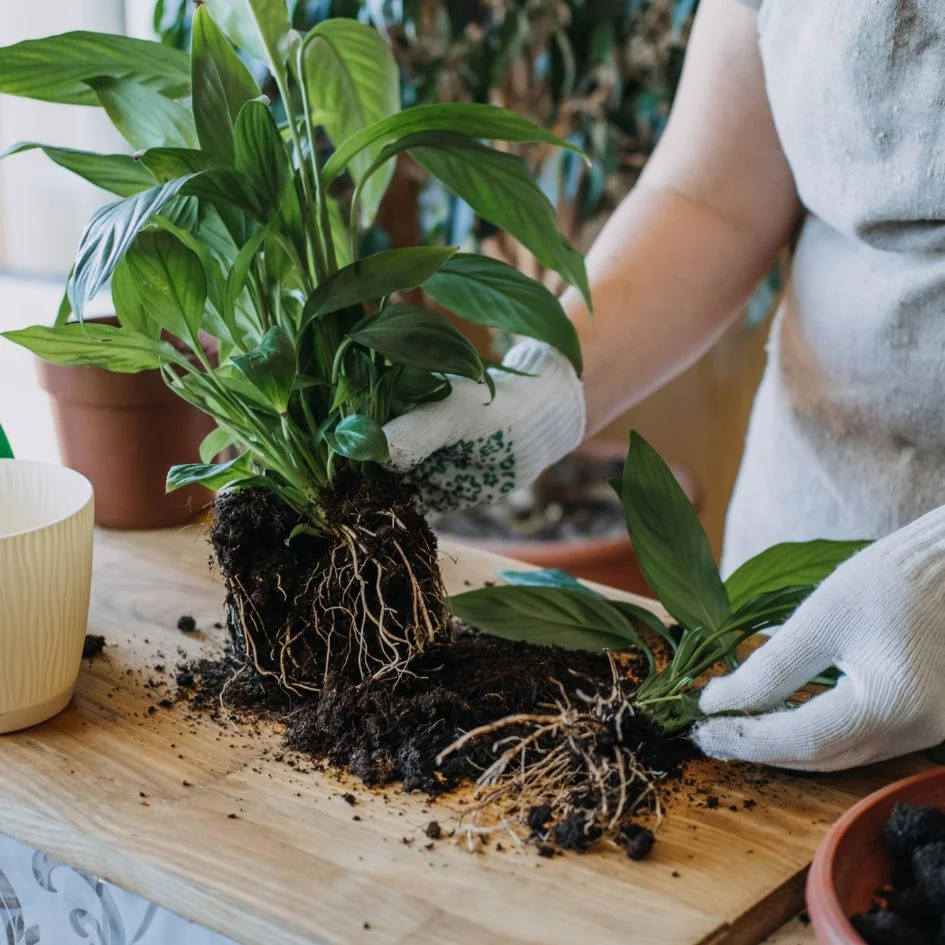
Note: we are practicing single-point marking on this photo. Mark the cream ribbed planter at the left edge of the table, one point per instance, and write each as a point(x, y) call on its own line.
point(46, 527)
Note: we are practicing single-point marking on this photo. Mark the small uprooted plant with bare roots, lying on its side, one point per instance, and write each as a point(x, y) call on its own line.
point(588, 760)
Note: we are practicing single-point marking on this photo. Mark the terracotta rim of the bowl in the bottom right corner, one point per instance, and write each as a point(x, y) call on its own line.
point(828, 917)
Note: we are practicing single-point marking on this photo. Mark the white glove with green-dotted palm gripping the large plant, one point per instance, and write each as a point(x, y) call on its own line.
point(465, 450)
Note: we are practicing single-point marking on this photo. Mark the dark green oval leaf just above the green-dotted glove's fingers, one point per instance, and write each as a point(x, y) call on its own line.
point(419, 338)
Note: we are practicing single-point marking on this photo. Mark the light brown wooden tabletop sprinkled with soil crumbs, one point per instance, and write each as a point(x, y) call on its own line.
point(144, 796)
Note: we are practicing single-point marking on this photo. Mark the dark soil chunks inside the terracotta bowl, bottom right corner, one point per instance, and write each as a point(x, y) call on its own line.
point(912, 910)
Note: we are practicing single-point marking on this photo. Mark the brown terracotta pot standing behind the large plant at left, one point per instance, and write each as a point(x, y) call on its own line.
point(123, 432)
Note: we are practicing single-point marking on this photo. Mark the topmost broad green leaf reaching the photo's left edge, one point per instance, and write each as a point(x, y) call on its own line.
point(57, 68)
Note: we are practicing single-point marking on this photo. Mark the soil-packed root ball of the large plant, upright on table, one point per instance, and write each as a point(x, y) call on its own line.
point(304, 609)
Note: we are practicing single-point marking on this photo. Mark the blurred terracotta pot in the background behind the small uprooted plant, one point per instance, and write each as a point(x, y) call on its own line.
point(607, 560)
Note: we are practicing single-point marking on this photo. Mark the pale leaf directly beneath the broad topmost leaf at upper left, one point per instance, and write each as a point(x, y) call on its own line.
point(144, 117)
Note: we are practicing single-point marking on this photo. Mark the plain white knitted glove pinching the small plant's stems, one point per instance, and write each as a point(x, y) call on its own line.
point(880, 619)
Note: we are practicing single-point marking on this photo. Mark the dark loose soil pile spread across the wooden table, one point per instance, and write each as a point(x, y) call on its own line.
point(394, 729)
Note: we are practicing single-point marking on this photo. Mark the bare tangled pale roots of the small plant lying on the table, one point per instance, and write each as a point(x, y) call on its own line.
point(575, 776)
